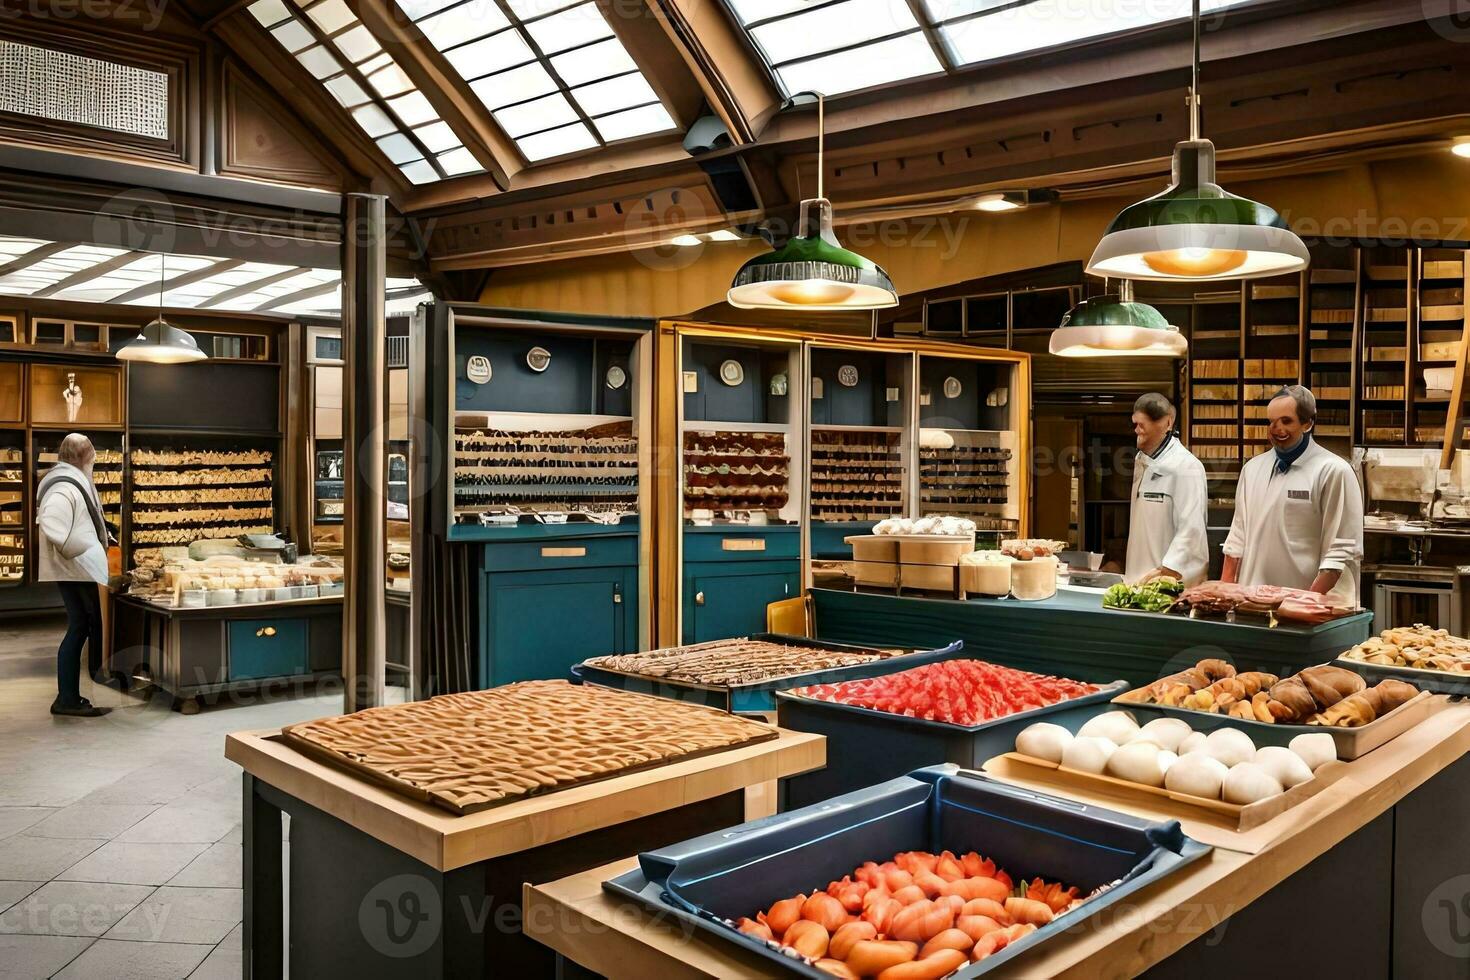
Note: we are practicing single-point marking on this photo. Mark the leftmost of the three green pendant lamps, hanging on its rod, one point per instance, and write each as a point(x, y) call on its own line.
point(812, 271)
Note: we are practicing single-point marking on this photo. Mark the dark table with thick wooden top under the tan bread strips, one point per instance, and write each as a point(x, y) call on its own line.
point(381, 885)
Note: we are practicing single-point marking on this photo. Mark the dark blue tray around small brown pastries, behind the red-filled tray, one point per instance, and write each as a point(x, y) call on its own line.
point(762, 696)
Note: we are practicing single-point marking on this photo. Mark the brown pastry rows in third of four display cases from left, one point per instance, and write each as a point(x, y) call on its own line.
point(856, 474)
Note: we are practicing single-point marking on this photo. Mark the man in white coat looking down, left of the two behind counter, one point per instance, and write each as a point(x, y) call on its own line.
point(1168, 511)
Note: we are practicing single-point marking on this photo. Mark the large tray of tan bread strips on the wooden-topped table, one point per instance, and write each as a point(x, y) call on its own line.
point(467, 753)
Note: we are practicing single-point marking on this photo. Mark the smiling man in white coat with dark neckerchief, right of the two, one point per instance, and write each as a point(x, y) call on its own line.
point(1299, 509)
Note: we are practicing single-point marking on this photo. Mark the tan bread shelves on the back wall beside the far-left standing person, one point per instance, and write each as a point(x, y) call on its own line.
point(182, 496)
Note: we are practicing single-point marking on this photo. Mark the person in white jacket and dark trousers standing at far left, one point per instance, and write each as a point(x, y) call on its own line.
point(74, 555)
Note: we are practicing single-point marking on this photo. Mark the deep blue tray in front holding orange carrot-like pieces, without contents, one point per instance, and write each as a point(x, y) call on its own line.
point(712, 881)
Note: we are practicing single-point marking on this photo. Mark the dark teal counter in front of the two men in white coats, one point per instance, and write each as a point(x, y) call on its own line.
point(1074, 637)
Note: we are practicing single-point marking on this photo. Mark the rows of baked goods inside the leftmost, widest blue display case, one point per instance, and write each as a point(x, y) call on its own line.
point(551, 468)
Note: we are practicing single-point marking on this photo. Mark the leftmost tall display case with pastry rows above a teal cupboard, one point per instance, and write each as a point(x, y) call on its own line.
point(549, 484)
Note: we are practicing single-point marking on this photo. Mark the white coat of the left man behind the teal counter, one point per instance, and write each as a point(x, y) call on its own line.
point(1166, 516)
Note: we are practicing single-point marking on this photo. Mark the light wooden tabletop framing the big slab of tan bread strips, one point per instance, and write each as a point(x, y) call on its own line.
point(445, 841)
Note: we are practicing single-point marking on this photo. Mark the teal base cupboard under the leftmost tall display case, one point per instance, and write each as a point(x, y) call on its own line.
point(552, 597)
